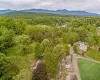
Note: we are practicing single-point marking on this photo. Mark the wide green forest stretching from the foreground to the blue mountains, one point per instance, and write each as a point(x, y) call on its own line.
point(26, 38)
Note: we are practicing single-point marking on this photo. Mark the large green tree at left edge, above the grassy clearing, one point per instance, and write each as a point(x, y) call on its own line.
point(6, 39)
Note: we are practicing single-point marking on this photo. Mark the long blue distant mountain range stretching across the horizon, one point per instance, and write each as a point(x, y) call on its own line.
point(64, 11)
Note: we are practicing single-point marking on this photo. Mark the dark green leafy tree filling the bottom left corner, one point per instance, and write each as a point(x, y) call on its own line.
point(7, 69)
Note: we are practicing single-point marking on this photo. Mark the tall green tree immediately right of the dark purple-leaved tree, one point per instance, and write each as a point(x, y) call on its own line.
point(51, 63)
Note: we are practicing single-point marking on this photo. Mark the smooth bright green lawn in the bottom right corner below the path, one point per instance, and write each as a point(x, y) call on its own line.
point(89, 70)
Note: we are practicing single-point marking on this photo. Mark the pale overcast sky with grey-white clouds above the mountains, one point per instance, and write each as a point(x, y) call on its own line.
point(83, 5)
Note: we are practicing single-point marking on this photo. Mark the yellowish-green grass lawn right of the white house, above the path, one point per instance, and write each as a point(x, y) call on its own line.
point(94, 54)
